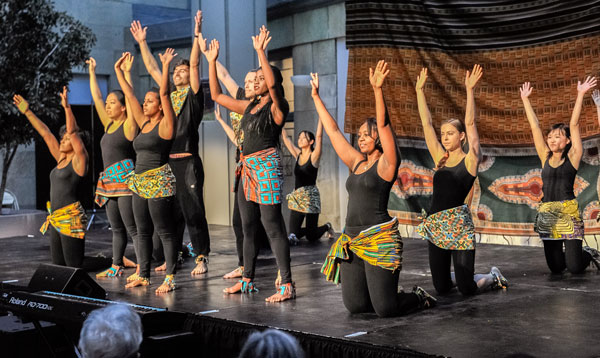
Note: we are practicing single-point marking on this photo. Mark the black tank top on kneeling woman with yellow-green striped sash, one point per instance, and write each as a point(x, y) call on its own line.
point(368, 196)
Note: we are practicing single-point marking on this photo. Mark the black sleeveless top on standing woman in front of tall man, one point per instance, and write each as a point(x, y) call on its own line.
point(151, 150)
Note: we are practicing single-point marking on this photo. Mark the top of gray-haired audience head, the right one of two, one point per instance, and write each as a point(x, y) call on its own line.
point(271, 344)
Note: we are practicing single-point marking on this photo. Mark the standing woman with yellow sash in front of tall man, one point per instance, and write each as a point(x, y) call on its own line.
point(152, 181)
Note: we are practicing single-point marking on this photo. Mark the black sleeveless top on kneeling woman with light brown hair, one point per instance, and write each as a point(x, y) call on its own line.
point(451, 185)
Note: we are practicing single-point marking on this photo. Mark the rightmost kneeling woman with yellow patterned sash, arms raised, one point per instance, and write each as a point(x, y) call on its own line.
point(558, 221)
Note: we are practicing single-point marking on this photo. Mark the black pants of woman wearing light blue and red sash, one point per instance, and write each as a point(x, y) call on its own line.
point(120, 216)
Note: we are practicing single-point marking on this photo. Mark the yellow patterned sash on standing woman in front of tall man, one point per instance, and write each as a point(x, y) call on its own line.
point(154, 183)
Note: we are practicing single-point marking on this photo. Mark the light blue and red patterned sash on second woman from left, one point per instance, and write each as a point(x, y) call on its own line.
point(112, 182)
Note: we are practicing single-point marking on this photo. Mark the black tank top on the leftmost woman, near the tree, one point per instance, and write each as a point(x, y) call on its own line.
point(63, 186)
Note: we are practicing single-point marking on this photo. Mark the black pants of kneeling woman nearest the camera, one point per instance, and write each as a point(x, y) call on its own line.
point(368, 288)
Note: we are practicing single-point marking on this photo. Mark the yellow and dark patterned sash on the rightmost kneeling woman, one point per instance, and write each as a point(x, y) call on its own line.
point(559, 220)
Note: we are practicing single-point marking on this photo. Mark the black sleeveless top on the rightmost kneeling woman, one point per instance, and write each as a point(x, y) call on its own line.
point(558, 182)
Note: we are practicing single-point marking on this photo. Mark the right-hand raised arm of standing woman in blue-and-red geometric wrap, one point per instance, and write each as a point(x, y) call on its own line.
point(260, 43)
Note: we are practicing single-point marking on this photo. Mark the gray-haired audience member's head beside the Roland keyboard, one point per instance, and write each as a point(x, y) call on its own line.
point(112, 331)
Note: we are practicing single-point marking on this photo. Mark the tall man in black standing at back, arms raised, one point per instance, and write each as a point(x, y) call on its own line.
point(188, 103)
